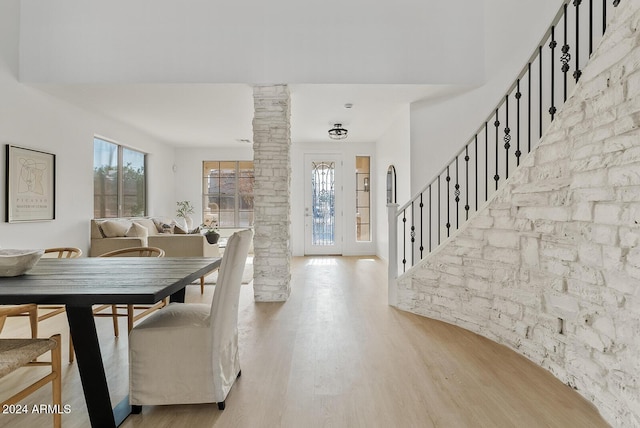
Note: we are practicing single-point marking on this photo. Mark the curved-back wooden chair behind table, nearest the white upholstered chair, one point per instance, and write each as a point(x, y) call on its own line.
point(130, 309)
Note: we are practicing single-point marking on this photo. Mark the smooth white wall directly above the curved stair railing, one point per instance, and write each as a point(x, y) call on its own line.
point(439, 128)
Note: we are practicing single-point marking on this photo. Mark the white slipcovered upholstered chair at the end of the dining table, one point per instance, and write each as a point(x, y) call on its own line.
point(188, 353)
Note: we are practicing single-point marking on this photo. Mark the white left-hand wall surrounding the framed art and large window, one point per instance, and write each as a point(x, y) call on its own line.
point(35, 120)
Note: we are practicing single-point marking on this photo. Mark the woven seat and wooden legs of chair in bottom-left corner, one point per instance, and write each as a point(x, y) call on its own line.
point(17, 353)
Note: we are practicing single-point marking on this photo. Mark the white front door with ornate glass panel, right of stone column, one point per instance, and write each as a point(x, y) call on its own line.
point(323, 208)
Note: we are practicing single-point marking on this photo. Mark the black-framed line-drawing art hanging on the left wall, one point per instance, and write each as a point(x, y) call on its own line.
point(30, 185)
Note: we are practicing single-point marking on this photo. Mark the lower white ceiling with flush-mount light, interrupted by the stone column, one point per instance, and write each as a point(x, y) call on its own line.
point(201, 115)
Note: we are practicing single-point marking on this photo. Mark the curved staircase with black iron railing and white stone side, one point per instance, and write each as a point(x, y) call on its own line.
point(529, 236)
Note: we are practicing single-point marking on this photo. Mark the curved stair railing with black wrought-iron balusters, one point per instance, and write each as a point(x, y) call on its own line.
point(513, 127)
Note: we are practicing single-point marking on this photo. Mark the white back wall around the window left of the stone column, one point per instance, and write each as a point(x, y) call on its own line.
point(188, 172)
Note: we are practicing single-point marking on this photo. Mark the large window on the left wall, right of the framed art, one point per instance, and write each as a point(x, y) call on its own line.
point(119, 180)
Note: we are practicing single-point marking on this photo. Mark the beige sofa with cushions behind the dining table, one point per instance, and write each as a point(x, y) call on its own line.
point(110, 234)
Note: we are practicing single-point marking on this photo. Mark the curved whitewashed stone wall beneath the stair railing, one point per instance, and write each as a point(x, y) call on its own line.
point(550, 266)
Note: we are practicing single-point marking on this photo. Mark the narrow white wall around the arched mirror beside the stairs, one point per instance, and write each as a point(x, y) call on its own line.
point(392, 148)
